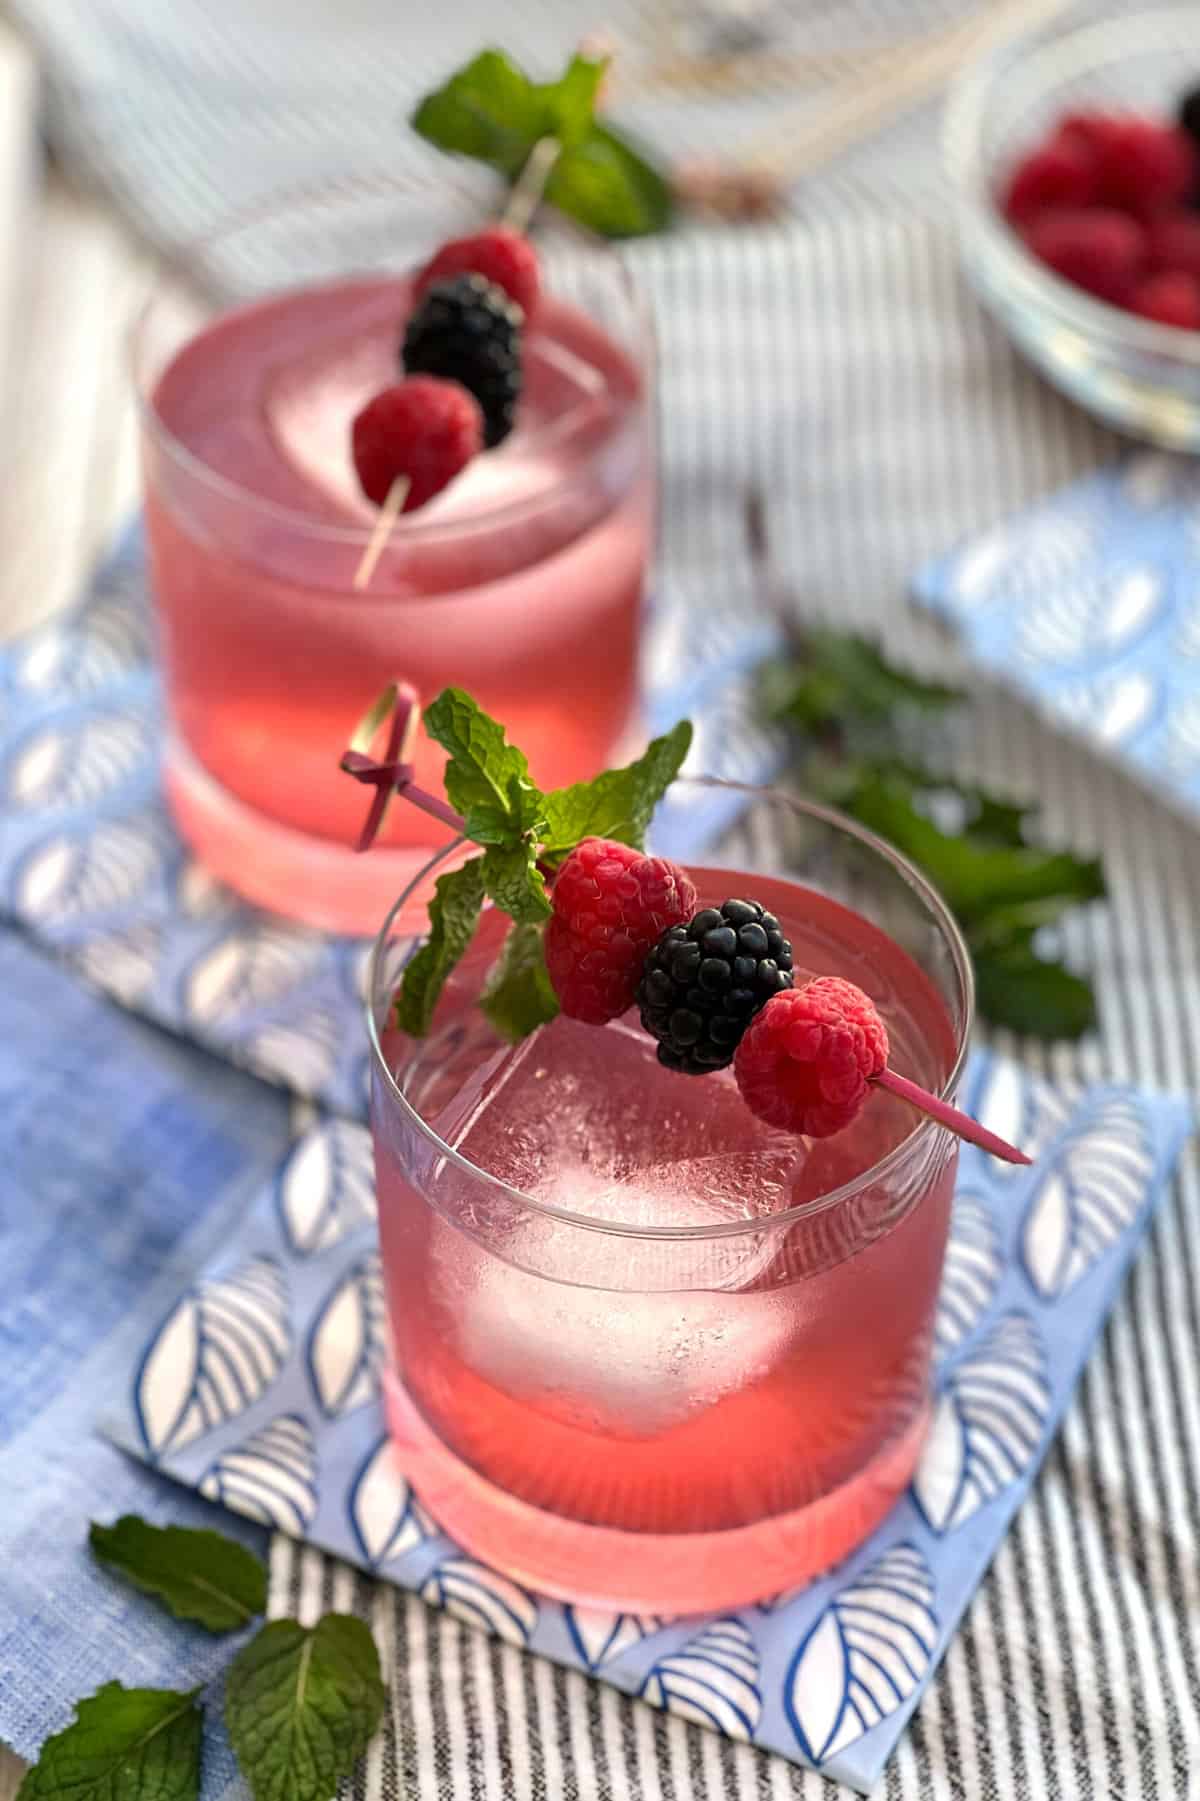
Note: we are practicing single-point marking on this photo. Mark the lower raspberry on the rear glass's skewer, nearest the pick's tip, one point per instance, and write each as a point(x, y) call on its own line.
point(423, 430)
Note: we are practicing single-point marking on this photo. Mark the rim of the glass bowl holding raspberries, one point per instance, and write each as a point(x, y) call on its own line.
point(1035, 60)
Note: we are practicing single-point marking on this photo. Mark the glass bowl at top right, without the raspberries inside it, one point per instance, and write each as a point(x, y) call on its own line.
point(1138, 376)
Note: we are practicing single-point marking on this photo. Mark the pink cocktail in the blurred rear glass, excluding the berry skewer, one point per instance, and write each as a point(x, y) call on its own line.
point(523, 581)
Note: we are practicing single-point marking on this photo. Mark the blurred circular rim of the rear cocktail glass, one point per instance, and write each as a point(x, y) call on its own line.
point(188, 262)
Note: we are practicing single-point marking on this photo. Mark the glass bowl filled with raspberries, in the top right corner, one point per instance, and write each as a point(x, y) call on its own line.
point(1077, 167)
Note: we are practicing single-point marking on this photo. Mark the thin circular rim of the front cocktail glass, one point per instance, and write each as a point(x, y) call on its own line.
point(923, 1130)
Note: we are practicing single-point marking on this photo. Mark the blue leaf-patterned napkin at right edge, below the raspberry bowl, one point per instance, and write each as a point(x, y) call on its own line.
point(1089, 604)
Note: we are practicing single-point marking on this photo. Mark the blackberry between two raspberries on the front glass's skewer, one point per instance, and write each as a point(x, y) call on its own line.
point(704, 984)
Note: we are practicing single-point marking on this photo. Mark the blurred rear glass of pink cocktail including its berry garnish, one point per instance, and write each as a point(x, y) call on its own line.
point(284, 381)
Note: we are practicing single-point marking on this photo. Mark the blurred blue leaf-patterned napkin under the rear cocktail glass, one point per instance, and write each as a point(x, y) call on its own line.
point(93, 865)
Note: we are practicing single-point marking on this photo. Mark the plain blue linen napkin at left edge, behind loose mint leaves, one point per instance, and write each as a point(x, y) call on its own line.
point(127, 1159)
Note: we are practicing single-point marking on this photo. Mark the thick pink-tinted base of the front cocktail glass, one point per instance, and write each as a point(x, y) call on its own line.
point(646, 1573)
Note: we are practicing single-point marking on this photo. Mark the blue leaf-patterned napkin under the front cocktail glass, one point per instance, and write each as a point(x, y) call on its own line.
point(259, 1386)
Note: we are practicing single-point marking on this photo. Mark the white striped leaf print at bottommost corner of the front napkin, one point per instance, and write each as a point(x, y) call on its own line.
point(868, 1654)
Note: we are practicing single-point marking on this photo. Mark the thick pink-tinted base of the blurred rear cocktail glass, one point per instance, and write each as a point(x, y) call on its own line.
point(289, 873)
